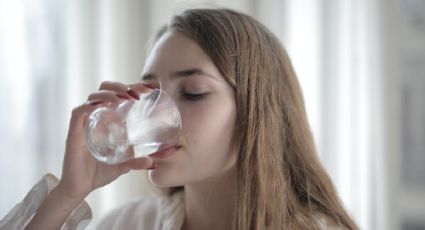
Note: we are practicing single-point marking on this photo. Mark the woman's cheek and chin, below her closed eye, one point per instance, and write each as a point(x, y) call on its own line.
point(207, 138)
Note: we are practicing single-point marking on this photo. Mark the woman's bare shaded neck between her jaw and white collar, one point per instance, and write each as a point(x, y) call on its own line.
point(210, 204)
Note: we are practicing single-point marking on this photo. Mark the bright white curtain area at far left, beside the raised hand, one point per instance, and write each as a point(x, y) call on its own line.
point(33, 109)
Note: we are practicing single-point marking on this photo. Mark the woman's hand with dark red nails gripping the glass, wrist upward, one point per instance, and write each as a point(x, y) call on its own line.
point(82, 173)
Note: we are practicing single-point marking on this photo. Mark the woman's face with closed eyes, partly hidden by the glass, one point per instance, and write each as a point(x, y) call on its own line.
point(207, 106)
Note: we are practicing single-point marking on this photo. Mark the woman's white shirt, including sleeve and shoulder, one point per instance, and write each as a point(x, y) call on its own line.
point(151, 213)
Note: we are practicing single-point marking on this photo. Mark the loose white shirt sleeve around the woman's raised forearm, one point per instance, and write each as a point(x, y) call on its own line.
point(22, 213)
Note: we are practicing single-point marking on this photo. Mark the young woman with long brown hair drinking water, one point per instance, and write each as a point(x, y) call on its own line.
point(246, 157)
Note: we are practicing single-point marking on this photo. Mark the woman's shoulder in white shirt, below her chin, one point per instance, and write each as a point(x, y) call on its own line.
point(147, 212)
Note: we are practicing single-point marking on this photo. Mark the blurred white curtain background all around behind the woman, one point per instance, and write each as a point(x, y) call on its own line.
point(361, 64)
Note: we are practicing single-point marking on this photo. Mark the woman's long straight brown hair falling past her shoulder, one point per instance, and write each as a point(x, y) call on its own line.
point(281, 183)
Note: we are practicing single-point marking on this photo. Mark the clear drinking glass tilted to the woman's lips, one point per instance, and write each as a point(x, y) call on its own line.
point(134, 128)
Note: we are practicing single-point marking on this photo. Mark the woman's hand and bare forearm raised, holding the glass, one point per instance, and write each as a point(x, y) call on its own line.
point(81, 172)
